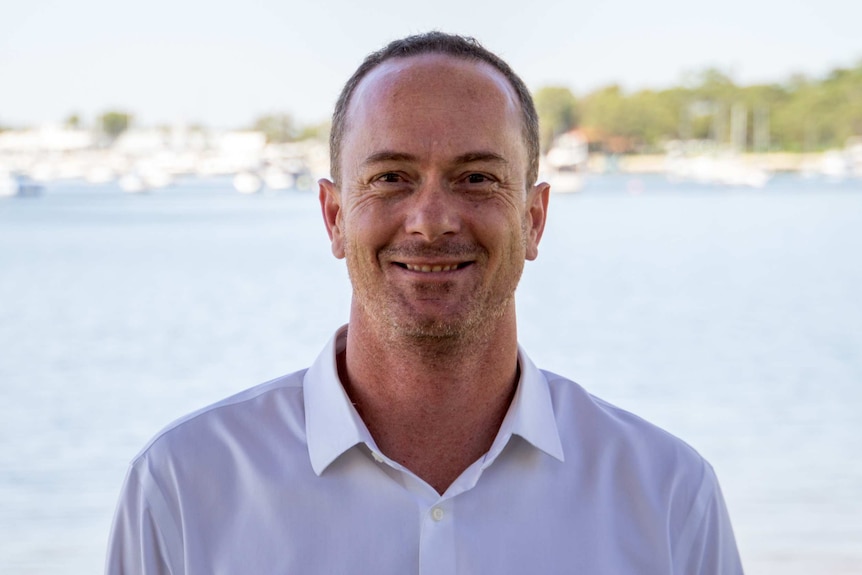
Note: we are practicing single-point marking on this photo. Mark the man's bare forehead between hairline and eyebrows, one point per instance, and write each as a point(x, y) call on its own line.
point(434, 98)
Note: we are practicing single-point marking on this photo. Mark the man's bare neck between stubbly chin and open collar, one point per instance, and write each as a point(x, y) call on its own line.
point(433, 405)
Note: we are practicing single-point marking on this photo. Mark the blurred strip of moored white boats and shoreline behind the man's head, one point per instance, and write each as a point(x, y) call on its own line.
point(143, 160)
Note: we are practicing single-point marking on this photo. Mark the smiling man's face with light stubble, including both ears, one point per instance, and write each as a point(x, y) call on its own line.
point(433, 213)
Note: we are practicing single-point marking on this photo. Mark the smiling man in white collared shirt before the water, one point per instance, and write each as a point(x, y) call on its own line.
point(423, 439)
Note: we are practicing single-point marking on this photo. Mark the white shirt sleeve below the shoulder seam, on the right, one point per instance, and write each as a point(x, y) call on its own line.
point(706, 545)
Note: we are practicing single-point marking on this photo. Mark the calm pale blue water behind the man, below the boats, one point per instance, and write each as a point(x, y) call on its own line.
point(733, 318)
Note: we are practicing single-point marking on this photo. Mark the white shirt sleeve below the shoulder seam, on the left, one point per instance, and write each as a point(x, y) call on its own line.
point(144, 537)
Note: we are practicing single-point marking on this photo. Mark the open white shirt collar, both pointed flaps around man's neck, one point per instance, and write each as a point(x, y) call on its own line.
point(333, 425)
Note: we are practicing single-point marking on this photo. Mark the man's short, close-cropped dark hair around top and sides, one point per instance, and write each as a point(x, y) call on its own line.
point(435, 42)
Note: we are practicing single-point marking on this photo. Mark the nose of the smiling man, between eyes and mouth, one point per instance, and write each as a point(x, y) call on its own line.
point(434, 211)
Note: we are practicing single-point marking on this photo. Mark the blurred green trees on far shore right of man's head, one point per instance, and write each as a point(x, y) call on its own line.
point(799, 115)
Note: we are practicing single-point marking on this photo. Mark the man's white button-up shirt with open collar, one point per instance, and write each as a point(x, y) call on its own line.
point(285, 478)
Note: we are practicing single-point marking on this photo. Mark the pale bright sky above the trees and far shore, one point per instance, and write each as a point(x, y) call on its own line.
point(224, 63)
